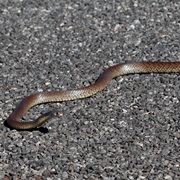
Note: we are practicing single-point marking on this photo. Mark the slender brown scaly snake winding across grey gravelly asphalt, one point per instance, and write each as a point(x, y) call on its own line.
point(121, 69)
